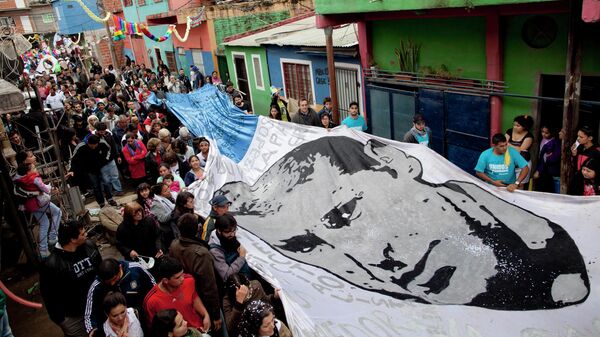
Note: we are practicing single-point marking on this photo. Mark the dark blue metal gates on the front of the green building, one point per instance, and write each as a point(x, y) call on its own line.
point(460, 123)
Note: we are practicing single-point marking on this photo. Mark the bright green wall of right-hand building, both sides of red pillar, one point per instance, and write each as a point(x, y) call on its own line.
point(459, 43)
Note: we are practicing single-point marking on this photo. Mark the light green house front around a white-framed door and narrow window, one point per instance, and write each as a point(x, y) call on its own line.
point(261, 98)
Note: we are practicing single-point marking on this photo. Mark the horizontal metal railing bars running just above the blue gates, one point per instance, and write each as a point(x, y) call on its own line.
point(417, 80)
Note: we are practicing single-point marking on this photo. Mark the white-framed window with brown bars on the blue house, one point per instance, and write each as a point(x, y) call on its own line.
point(297, 80)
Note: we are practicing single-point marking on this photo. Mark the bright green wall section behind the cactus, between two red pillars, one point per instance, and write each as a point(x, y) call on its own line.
point(458, 43)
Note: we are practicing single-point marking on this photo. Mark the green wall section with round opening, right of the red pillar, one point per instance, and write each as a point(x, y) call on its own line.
point(523, 65)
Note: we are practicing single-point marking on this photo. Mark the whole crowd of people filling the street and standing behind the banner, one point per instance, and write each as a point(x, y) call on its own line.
point(200, 281)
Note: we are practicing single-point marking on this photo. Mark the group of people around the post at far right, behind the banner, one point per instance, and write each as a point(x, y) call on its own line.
point(508, 163)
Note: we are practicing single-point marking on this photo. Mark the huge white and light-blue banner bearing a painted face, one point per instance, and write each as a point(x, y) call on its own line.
point(367, 236)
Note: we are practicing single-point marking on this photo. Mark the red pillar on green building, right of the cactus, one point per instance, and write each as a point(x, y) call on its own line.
point(493, 53)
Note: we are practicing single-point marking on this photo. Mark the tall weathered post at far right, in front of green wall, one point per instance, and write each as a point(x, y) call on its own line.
point(572, 96)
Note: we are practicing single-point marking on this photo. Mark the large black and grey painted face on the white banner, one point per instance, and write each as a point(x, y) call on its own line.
point(374, 222)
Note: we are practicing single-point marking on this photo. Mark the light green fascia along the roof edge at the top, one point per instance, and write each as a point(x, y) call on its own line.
point(361, 6)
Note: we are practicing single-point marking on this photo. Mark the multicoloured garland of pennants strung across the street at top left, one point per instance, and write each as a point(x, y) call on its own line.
point(123, 27)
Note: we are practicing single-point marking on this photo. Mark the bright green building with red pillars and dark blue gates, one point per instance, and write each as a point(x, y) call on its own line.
point(469, 66)
